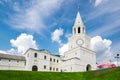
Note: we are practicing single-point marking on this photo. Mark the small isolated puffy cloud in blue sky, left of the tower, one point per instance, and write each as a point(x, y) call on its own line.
point(56, 35)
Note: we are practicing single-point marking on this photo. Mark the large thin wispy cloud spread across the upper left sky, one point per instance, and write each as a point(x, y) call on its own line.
point(31, 16)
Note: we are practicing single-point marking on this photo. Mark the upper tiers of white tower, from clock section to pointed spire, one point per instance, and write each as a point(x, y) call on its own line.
point(79, 37)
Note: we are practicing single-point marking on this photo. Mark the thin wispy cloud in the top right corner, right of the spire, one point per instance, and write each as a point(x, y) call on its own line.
point(104, 8)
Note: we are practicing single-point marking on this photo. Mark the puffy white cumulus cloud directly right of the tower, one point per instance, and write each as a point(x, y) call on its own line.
point(102, 47)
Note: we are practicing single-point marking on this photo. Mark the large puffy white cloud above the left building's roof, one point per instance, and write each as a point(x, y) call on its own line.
point(22, 43)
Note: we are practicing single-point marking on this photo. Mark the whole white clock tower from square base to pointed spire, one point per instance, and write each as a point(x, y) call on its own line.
point(79, 57)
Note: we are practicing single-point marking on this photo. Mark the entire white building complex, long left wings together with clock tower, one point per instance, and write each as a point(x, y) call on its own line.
point(79, 57)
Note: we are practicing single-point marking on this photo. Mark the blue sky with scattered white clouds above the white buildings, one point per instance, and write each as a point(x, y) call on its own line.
point(47, 24)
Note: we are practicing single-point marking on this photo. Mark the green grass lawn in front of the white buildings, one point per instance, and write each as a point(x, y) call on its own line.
point(108, 74)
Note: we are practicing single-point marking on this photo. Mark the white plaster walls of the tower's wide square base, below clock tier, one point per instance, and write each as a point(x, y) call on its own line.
point(85, 55)
